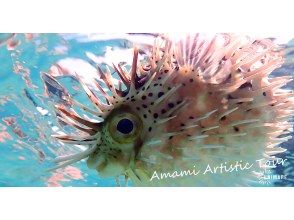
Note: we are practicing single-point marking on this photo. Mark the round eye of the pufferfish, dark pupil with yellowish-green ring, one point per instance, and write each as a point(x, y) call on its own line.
point(124, 126)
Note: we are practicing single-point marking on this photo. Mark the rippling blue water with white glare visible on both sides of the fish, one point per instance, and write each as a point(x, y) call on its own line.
point(27, 149)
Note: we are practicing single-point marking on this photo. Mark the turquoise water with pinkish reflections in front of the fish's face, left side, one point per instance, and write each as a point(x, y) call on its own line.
point(25, 154)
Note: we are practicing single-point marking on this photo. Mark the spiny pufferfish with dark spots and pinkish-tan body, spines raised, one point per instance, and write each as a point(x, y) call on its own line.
point(190, 103)
